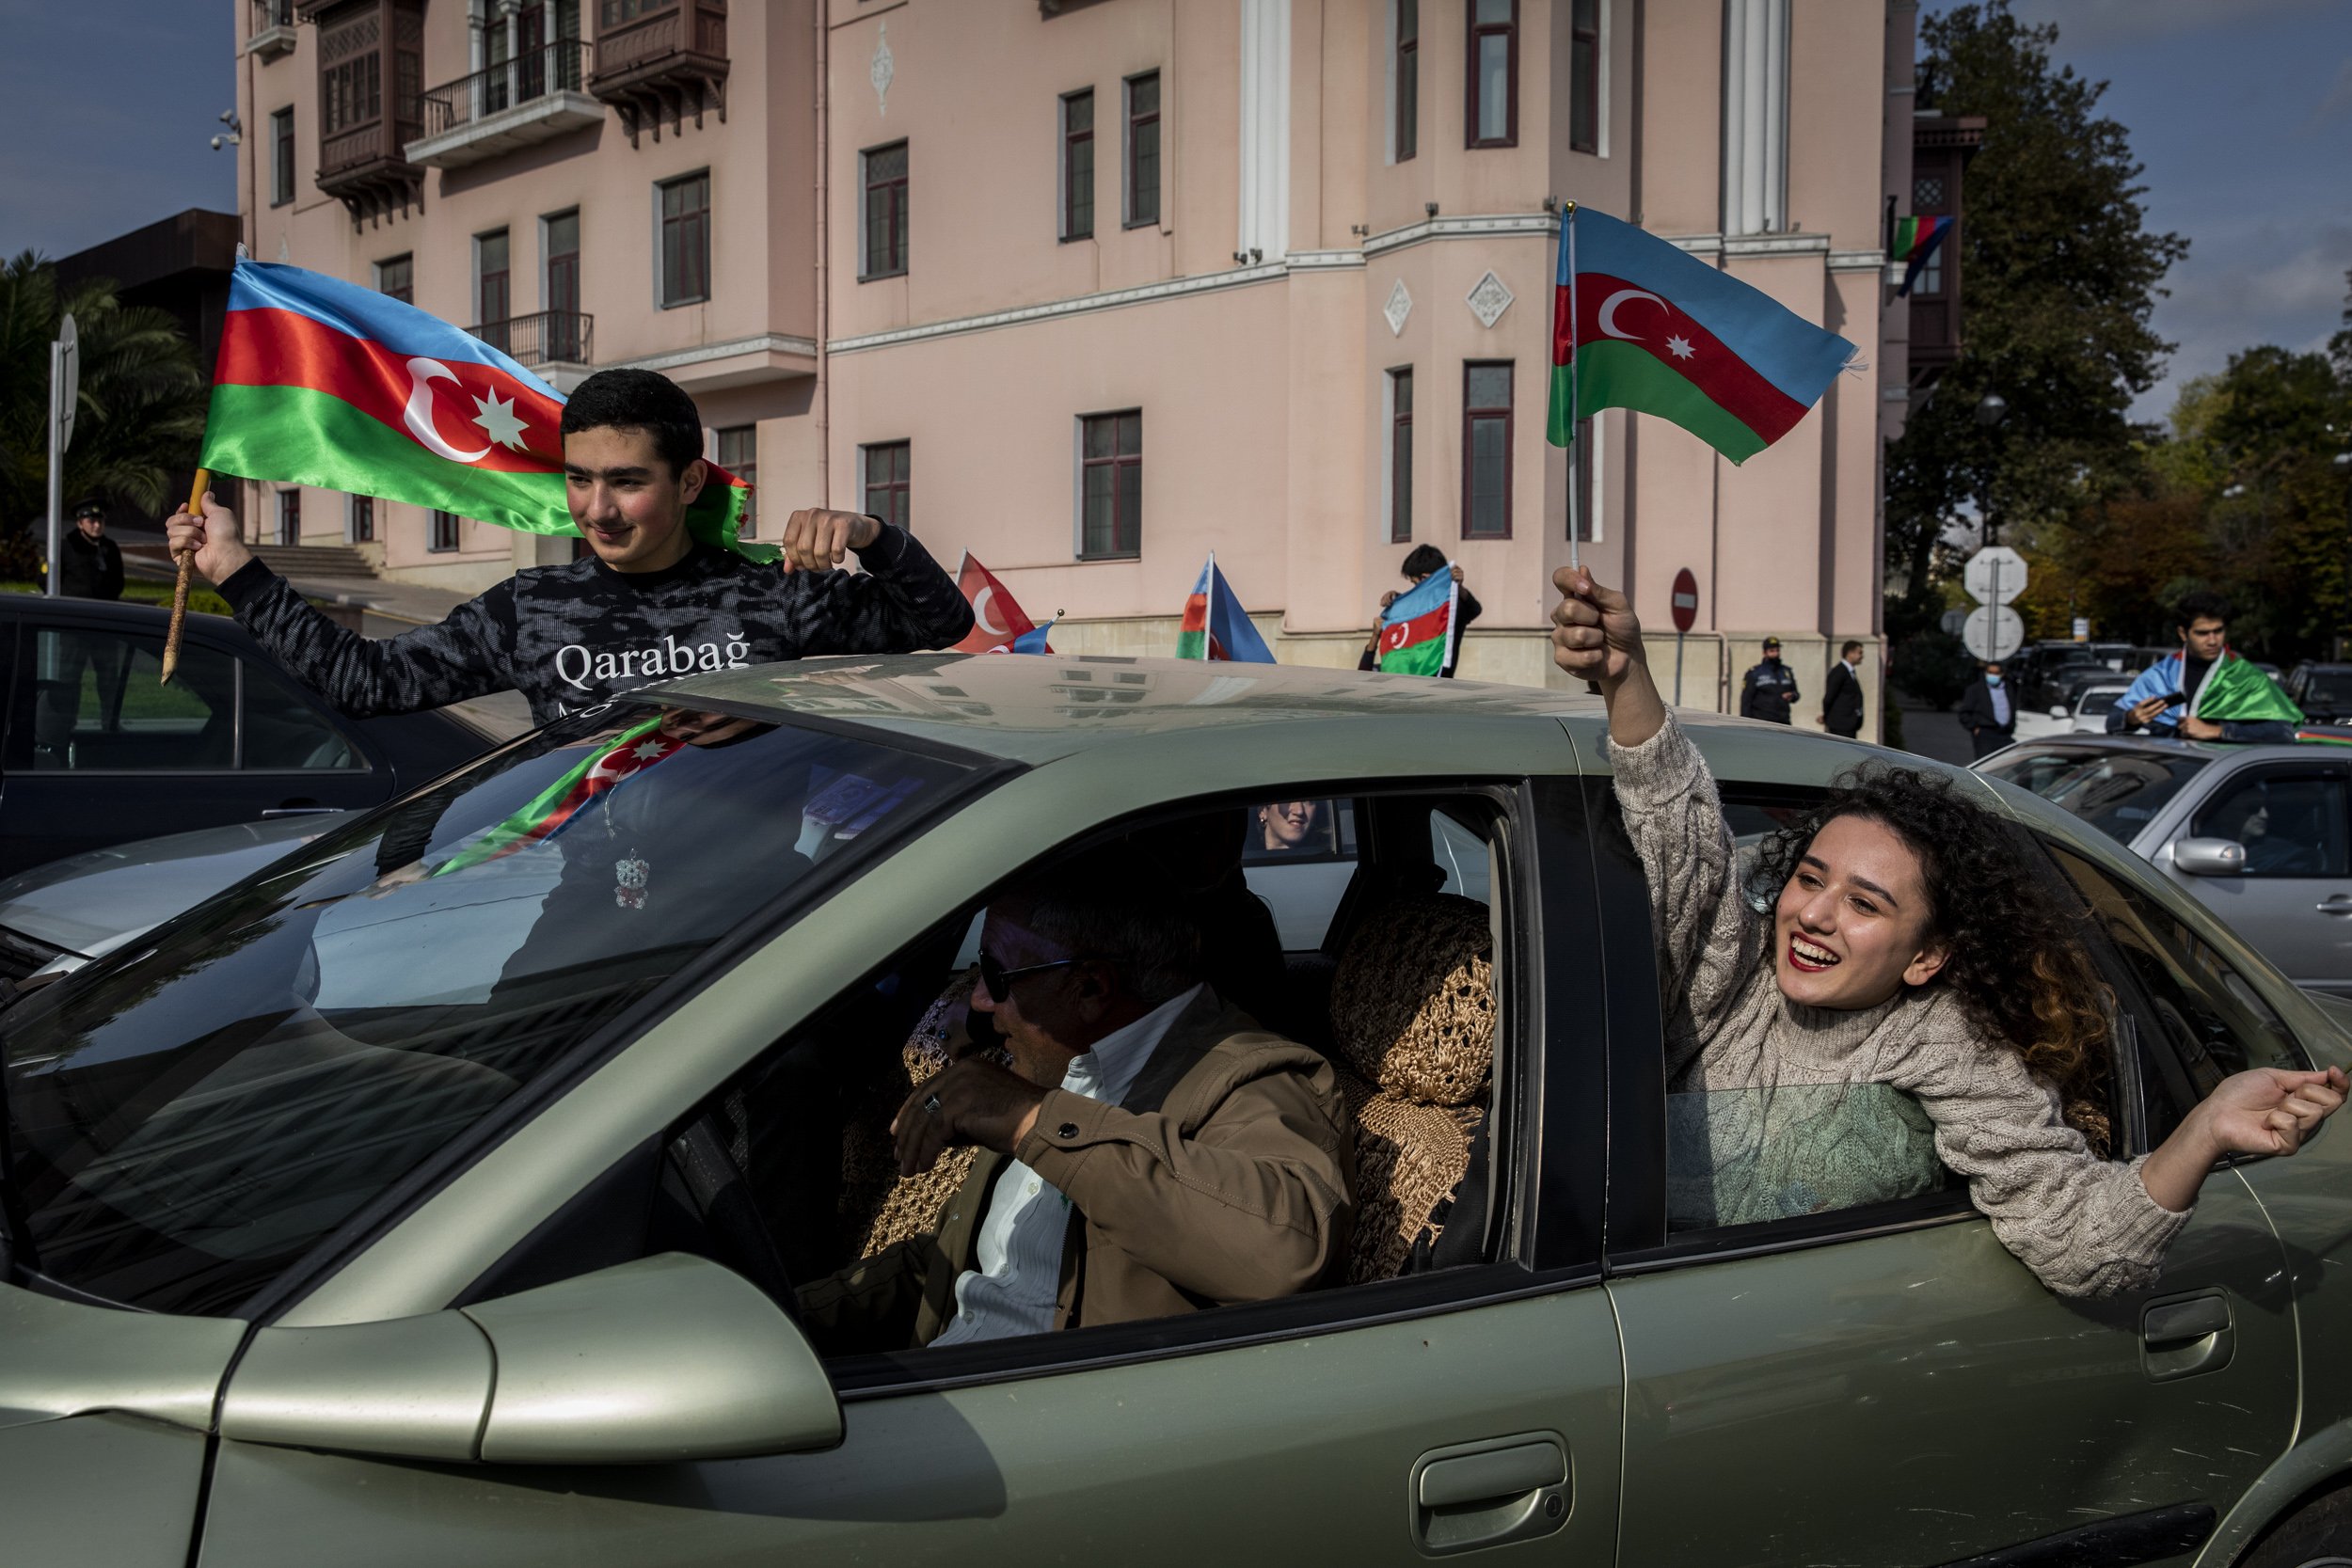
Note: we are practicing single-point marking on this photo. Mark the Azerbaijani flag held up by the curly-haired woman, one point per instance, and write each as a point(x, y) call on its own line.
point(1643, 326)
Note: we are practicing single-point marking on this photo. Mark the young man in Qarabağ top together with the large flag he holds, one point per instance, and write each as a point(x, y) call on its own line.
point(323, 382)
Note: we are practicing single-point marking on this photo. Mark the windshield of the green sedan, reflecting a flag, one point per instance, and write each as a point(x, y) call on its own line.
point(196, 1113)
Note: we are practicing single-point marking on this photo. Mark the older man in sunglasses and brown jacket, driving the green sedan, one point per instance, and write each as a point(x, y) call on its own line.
point(1149, 1153)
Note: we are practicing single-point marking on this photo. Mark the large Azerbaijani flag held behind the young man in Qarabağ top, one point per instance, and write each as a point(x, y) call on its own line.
point(323, 382)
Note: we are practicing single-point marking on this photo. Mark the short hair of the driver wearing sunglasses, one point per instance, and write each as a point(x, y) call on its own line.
point(1118, 911)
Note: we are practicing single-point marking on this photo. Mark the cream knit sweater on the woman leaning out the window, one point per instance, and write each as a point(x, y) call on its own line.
point(2083, 1226)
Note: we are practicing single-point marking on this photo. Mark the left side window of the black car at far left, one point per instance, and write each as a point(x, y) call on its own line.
point(100, 704)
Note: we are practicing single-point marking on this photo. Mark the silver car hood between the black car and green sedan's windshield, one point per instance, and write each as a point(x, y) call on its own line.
point(102, 899)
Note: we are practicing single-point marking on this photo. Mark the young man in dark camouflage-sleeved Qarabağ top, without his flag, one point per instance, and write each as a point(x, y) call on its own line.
point(653, 603)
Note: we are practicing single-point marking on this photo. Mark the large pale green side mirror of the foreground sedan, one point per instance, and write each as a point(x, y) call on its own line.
point(650, 1362)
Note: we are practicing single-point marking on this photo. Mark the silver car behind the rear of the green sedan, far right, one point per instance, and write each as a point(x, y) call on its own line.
point(2257, 833)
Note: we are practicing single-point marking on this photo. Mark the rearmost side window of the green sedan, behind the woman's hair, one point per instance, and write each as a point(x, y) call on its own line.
point(2196, 1017)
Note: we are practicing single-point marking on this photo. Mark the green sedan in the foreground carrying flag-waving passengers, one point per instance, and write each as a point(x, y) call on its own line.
point(439, 1195)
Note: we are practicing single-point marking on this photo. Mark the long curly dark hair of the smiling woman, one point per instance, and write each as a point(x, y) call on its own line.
point(2017, 956)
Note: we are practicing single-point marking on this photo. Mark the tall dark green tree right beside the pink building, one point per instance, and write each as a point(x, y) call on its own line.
point(2059, 276)
